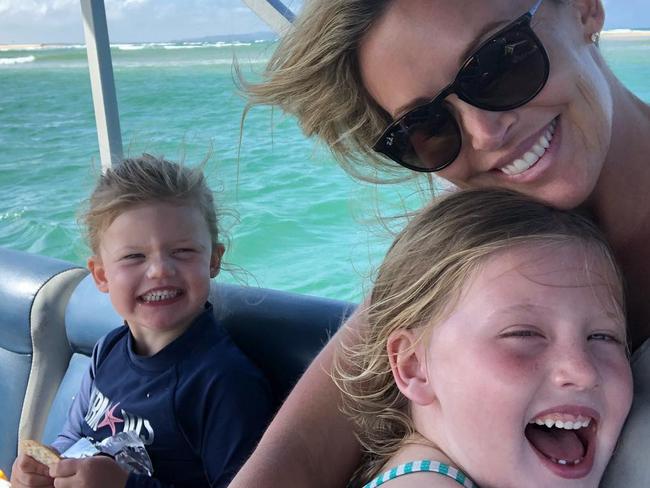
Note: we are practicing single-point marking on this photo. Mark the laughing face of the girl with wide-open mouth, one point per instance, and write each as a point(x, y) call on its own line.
point(534, 341)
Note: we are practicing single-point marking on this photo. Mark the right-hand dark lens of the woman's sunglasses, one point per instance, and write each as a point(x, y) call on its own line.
point(505, 73)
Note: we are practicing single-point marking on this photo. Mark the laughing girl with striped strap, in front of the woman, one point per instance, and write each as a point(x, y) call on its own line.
point(496, 350)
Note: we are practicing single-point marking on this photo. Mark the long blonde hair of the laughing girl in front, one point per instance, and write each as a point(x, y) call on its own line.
point(419, 283)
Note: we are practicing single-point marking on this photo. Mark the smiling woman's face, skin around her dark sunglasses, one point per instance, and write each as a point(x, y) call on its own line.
point(416, 49)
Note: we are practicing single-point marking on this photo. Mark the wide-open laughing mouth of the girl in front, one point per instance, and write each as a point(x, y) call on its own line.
point(564, 443)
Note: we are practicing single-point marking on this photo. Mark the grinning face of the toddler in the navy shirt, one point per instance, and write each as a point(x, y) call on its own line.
point(156, 261)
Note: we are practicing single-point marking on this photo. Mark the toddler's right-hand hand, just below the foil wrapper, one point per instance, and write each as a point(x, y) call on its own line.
point(93, 472)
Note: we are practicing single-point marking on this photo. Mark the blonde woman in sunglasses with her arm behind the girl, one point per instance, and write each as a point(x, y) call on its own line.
point(534, 109)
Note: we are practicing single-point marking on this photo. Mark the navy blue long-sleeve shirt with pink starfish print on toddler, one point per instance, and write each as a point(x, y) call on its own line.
point(199, 405)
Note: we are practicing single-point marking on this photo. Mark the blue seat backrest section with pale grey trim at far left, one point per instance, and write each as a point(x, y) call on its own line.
point(34, 291)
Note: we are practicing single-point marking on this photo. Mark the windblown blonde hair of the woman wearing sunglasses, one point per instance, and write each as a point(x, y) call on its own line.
point(314, 75)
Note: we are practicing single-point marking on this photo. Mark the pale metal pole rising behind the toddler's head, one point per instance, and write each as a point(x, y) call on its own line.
point(102, 84)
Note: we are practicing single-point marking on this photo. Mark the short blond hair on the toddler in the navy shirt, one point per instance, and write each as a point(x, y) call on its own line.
point(146, 179)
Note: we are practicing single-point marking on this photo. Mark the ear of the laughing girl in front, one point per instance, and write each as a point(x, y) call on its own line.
point(406, 353)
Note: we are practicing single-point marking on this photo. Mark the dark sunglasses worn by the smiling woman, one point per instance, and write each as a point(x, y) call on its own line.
point(504, 72)
